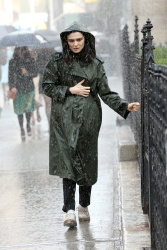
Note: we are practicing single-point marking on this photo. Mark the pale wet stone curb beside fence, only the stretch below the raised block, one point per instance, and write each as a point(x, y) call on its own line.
point(136, 232)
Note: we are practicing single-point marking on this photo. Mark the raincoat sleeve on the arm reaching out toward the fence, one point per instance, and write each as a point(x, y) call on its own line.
point(112, 99)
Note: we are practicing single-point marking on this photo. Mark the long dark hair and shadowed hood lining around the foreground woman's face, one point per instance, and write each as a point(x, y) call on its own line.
point(86, 53)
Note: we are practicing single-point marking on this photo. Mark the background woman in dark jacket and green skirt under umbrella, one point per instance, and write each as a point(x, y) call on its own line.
point(22, 69)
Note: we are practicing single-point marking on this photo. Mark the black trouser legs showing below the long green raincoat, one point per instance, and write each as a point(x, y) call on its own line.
point(69, 187)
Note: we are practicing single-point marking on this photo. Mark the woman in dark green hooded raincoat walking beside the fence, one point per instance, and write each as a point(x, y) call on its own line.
point(74, 79)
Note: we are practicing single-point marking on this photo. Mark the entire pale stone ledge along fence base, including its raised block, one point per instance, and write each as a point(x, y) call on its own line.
point(135, 224)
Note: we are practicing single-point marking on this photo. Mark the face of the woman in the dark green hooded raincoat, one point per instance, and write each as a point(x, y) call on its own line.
point(76, 41)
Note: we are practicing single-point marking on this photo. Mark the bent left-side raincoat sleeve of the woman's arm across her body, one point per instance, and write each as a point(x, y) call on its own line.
point(51, 82)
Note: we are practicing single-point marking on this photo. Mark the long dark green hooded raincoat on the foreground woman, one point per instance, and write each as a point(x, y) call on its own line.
point(75, 120)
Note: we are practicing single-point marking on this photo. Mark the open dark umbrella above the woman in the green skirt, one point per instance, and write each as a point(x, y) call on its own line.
point(22, 38)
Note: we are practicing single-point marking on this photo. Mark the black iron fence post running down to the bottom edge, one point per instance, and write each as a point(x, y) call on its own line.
point(151, 88)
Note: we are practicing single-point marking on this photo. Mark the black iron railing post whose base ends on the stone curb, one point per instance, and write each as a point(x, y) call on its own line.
point(147, 59)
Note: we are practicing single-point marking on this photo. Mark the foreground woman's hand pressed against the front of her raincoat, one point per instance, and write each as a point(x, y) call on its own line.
point(78, 89)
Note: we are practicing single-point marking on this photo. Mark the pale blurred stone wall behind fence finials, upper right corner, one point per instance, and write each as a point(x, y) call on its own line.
point(153, 9)
